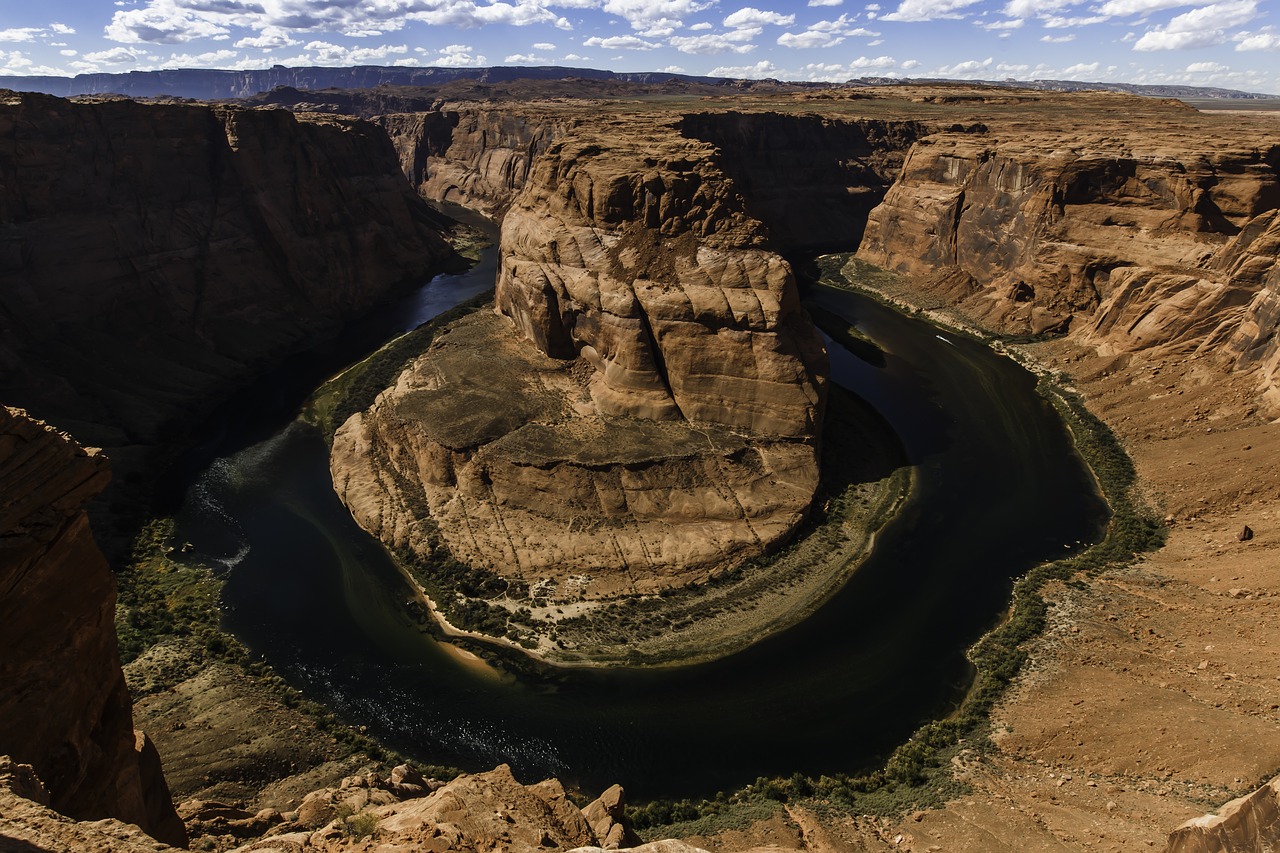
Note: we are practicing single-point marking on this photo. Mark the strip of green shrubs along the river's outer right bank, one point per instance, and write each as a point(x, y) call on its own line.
point(917, 774)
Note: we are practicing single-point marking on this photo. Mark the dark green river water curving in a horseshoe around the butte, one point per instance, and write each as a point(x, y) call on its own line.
point(999, 490)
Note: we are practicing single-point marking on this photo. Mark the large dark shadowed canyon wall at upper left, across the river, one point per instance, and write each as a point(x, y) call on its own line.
point(152, 257)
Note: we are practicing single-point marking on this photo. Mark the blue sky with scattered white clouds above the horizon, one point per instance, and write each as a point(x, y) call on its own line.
point(1233, 44)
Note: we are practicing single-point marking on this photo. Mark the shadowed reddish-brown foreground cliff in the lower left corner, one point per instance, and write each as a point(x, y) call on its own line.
point(65, 708)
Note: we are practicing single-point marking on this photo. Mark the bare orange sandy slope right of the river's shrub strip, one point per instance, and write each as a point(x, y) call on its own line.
point(1149, 699)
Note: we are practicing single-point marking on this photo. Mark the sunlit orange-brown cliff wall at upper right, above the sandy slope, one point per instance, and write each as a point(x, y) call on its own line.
point(1130, 243)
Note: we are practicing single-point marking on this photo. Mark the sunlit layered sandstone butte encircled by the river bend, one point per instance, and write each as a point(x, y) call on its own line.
point(646, 412)
